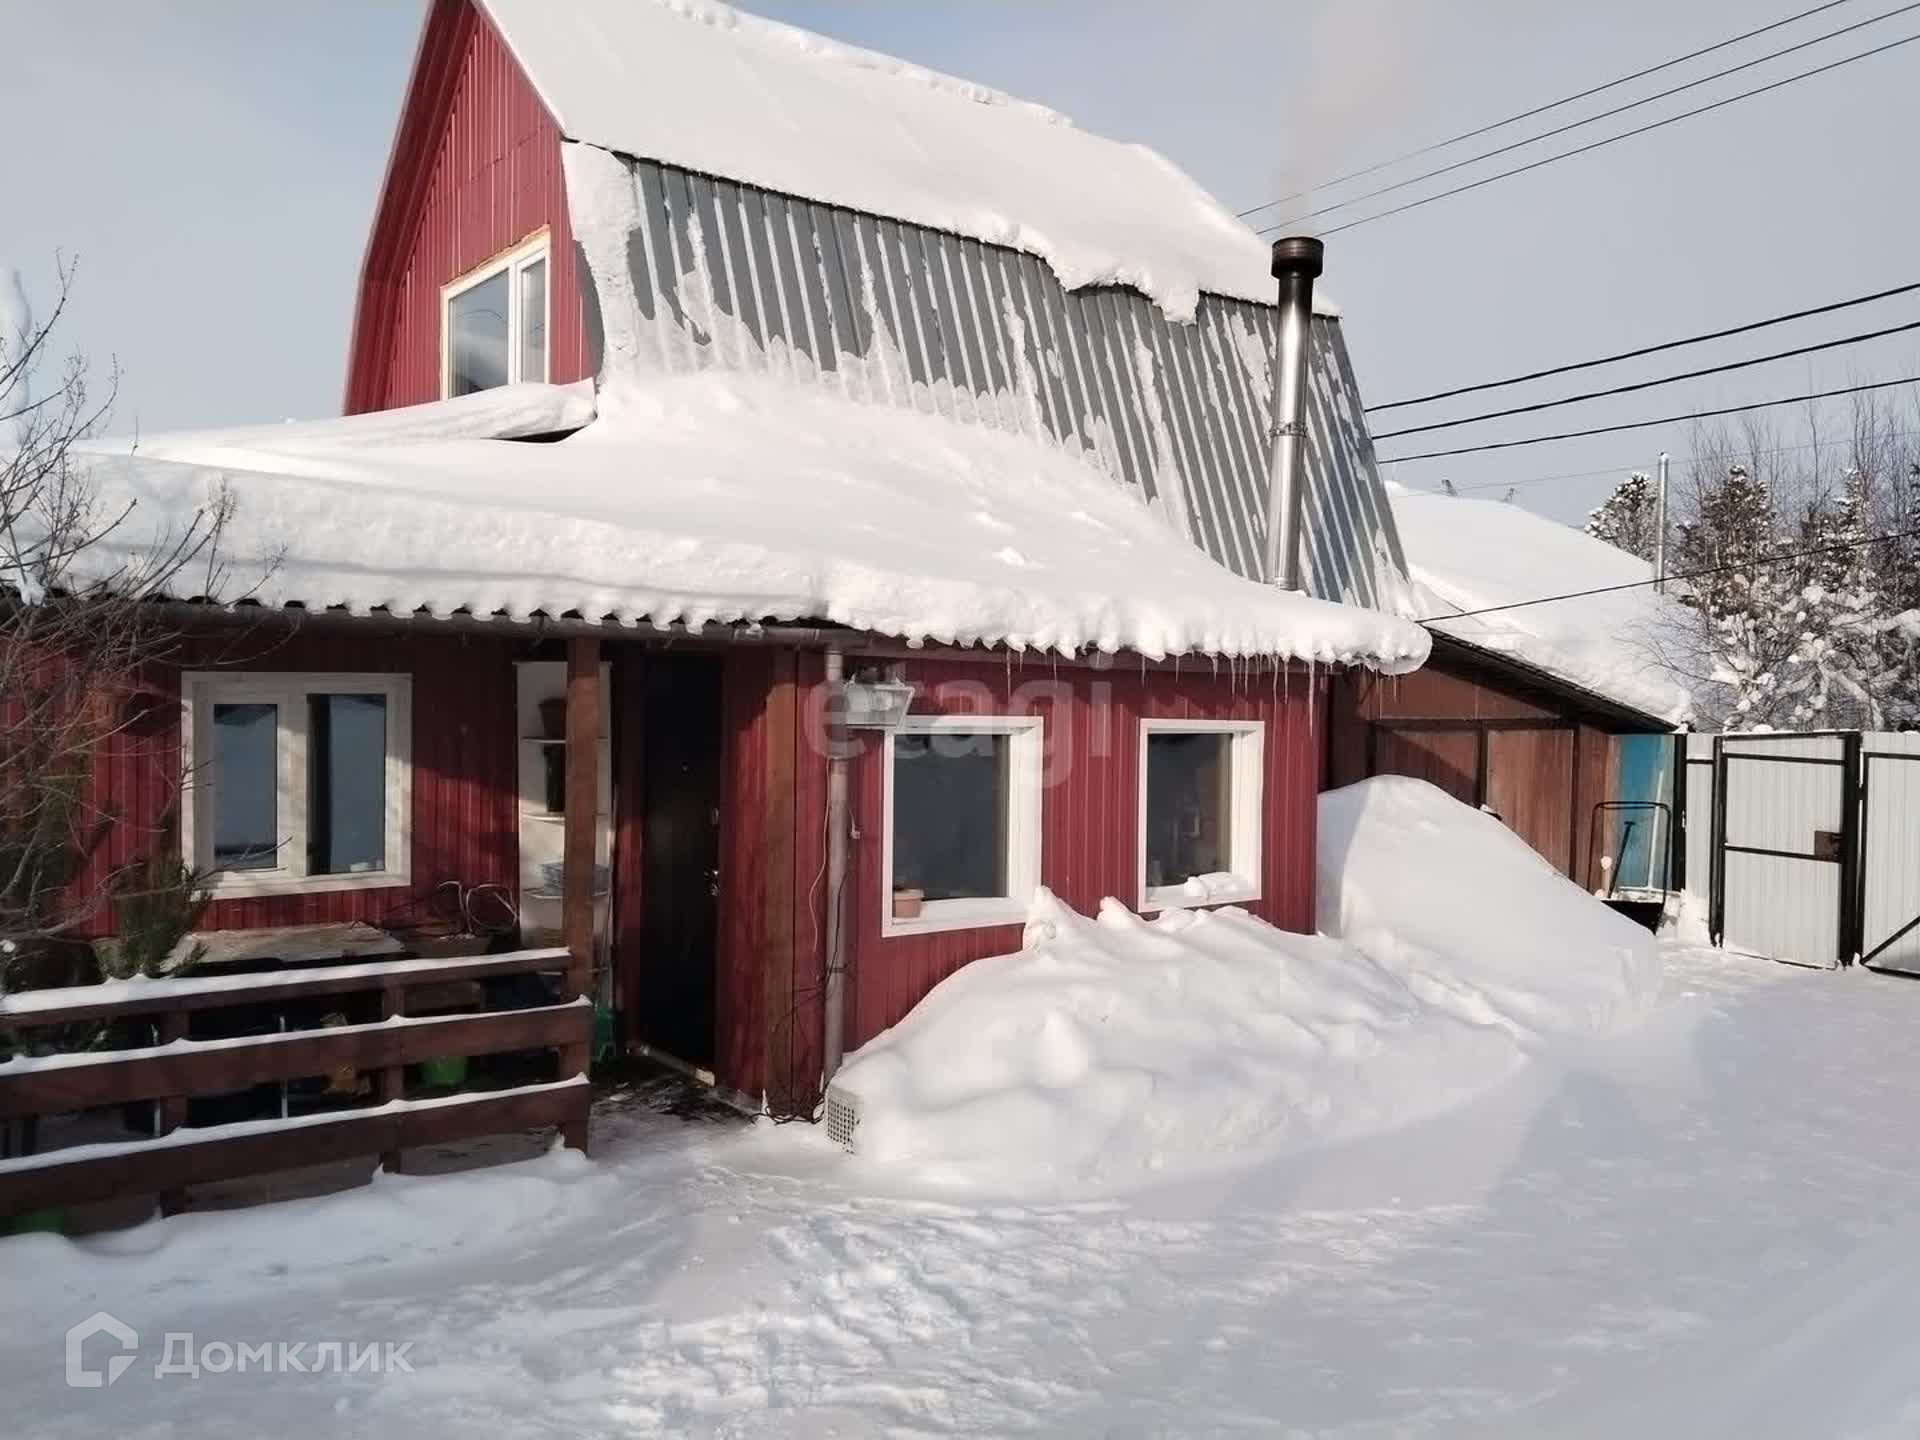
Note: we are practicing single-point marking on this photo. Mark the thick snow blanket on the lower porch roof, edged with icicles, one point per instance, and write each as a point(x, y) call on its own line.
point(721, 498)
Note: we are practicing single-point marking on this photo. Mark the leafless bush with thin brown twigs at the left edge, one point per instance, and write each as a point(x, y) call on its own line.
point(78, 636)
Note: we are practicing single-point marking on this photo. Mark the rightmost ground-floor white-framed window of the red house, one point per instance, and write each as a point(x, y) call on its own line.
point(1201, 794)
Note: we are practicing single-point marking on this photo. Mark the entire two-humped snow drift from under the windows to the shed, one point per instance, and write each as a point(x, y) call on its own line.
point(1116, 1051)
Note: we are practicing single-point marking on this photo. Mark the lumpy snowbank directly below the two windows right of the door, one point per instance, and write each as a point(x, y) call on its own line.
point(1118, 1051)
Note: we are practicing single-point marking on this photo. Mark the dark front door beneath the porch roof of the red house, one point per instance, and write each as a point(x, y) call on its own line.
point(681, 855)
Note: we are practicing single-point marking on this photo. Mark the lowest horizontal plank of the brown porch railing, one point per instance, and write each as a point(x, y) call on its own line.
point(110, 1172)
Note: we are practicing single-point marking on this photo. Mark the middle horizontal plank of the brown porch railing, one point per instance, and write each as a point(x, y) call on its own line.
point(122, 1076)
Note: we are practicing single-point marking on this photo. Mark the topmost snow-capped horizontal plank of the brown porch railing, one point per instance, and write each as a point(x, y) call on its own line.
point(216, 992)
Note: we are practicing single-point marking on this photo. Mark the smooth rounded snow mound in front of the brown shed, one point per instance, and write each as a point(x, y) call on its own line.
point(1472, 919)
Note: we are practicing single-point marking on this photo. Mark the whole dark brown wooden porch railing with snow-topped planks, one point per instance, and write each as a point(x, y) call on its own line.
point(178, 1068)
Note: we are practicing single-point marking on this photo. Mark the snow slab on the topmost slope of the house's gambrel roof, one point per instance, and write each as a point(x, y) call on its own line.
point(711, 89)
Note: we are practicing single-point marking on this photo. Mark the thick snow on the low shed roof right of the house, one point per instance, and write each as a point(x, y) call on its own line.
point(1476, 554)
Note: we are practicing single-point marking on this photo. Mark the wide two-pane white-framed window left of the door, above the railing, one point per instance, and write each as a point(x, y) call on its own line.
point(297, 782)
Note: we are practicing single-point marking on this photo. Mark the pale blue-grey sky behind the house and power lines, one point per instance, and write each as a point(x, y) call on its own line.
point(214, 166)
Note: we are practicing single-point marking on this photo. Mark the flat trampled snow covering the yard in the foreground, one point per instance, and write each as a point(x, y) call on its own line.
point(1692, 1230)
